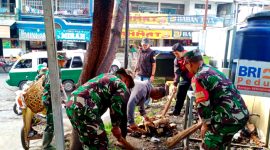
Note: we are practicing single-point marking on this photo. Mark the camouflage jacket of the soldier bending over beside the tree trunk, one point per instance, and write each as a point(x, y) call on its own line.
point(106, 91)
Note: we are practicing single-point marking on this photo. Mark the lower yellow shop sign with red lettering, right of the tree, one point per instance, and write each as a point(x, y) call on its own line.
point(152, 34)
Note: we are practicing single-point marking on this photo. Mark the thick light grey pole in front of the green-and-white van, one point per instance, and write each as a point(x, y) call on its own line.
point(54, 73)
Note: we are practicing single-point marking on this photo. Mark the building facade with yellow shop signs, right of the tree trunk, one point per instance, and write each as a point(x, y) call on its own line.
point(169, 21)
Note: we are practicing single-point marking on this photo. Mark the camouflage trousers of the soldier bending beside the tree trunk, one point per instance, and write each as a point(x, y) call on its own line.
point(85, 118)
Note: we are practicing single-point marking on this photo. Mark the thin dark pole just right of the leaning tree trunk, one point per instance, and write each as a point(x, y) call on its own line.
point(127, 38)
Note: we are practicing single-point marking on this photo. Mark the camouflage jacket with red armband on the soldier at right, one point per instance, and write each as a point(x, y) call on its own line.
point(219, 102)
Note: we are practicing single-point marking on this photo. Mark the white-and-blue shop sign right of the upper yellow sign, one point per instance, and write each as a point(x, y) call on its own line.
point(195, 20)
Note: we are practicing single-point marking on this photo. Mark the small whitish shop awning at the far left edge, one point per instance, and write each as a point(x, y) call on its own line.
point(5, 26)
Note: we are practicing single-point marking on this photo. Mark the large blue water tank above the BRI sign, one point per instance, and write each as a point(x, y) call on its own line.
point(253, 41)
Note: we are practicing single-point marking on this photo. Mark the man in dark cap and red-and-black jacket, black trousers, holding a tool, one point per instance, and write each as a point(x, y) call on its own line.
point(183, 84)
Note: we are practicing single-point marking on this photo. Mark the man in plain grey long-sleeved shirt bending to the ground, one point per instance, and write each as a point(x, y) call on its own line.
point(142, 90)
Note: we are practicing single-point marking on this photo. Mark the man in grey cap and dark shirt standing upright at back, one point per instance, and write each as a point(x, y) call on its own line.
point(146, 64)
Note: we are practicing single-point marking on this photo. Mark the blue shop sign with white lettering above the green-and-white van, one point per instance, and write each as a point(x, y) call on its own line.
point(61, 35)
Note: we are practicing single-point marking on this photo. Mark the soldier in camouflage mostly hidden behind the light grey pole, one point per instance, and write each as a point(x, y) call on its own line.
point(46, 98)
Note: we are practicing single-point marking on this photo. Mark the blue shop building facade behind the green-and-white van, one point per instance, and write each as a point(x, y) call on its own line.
point(22, 25)
